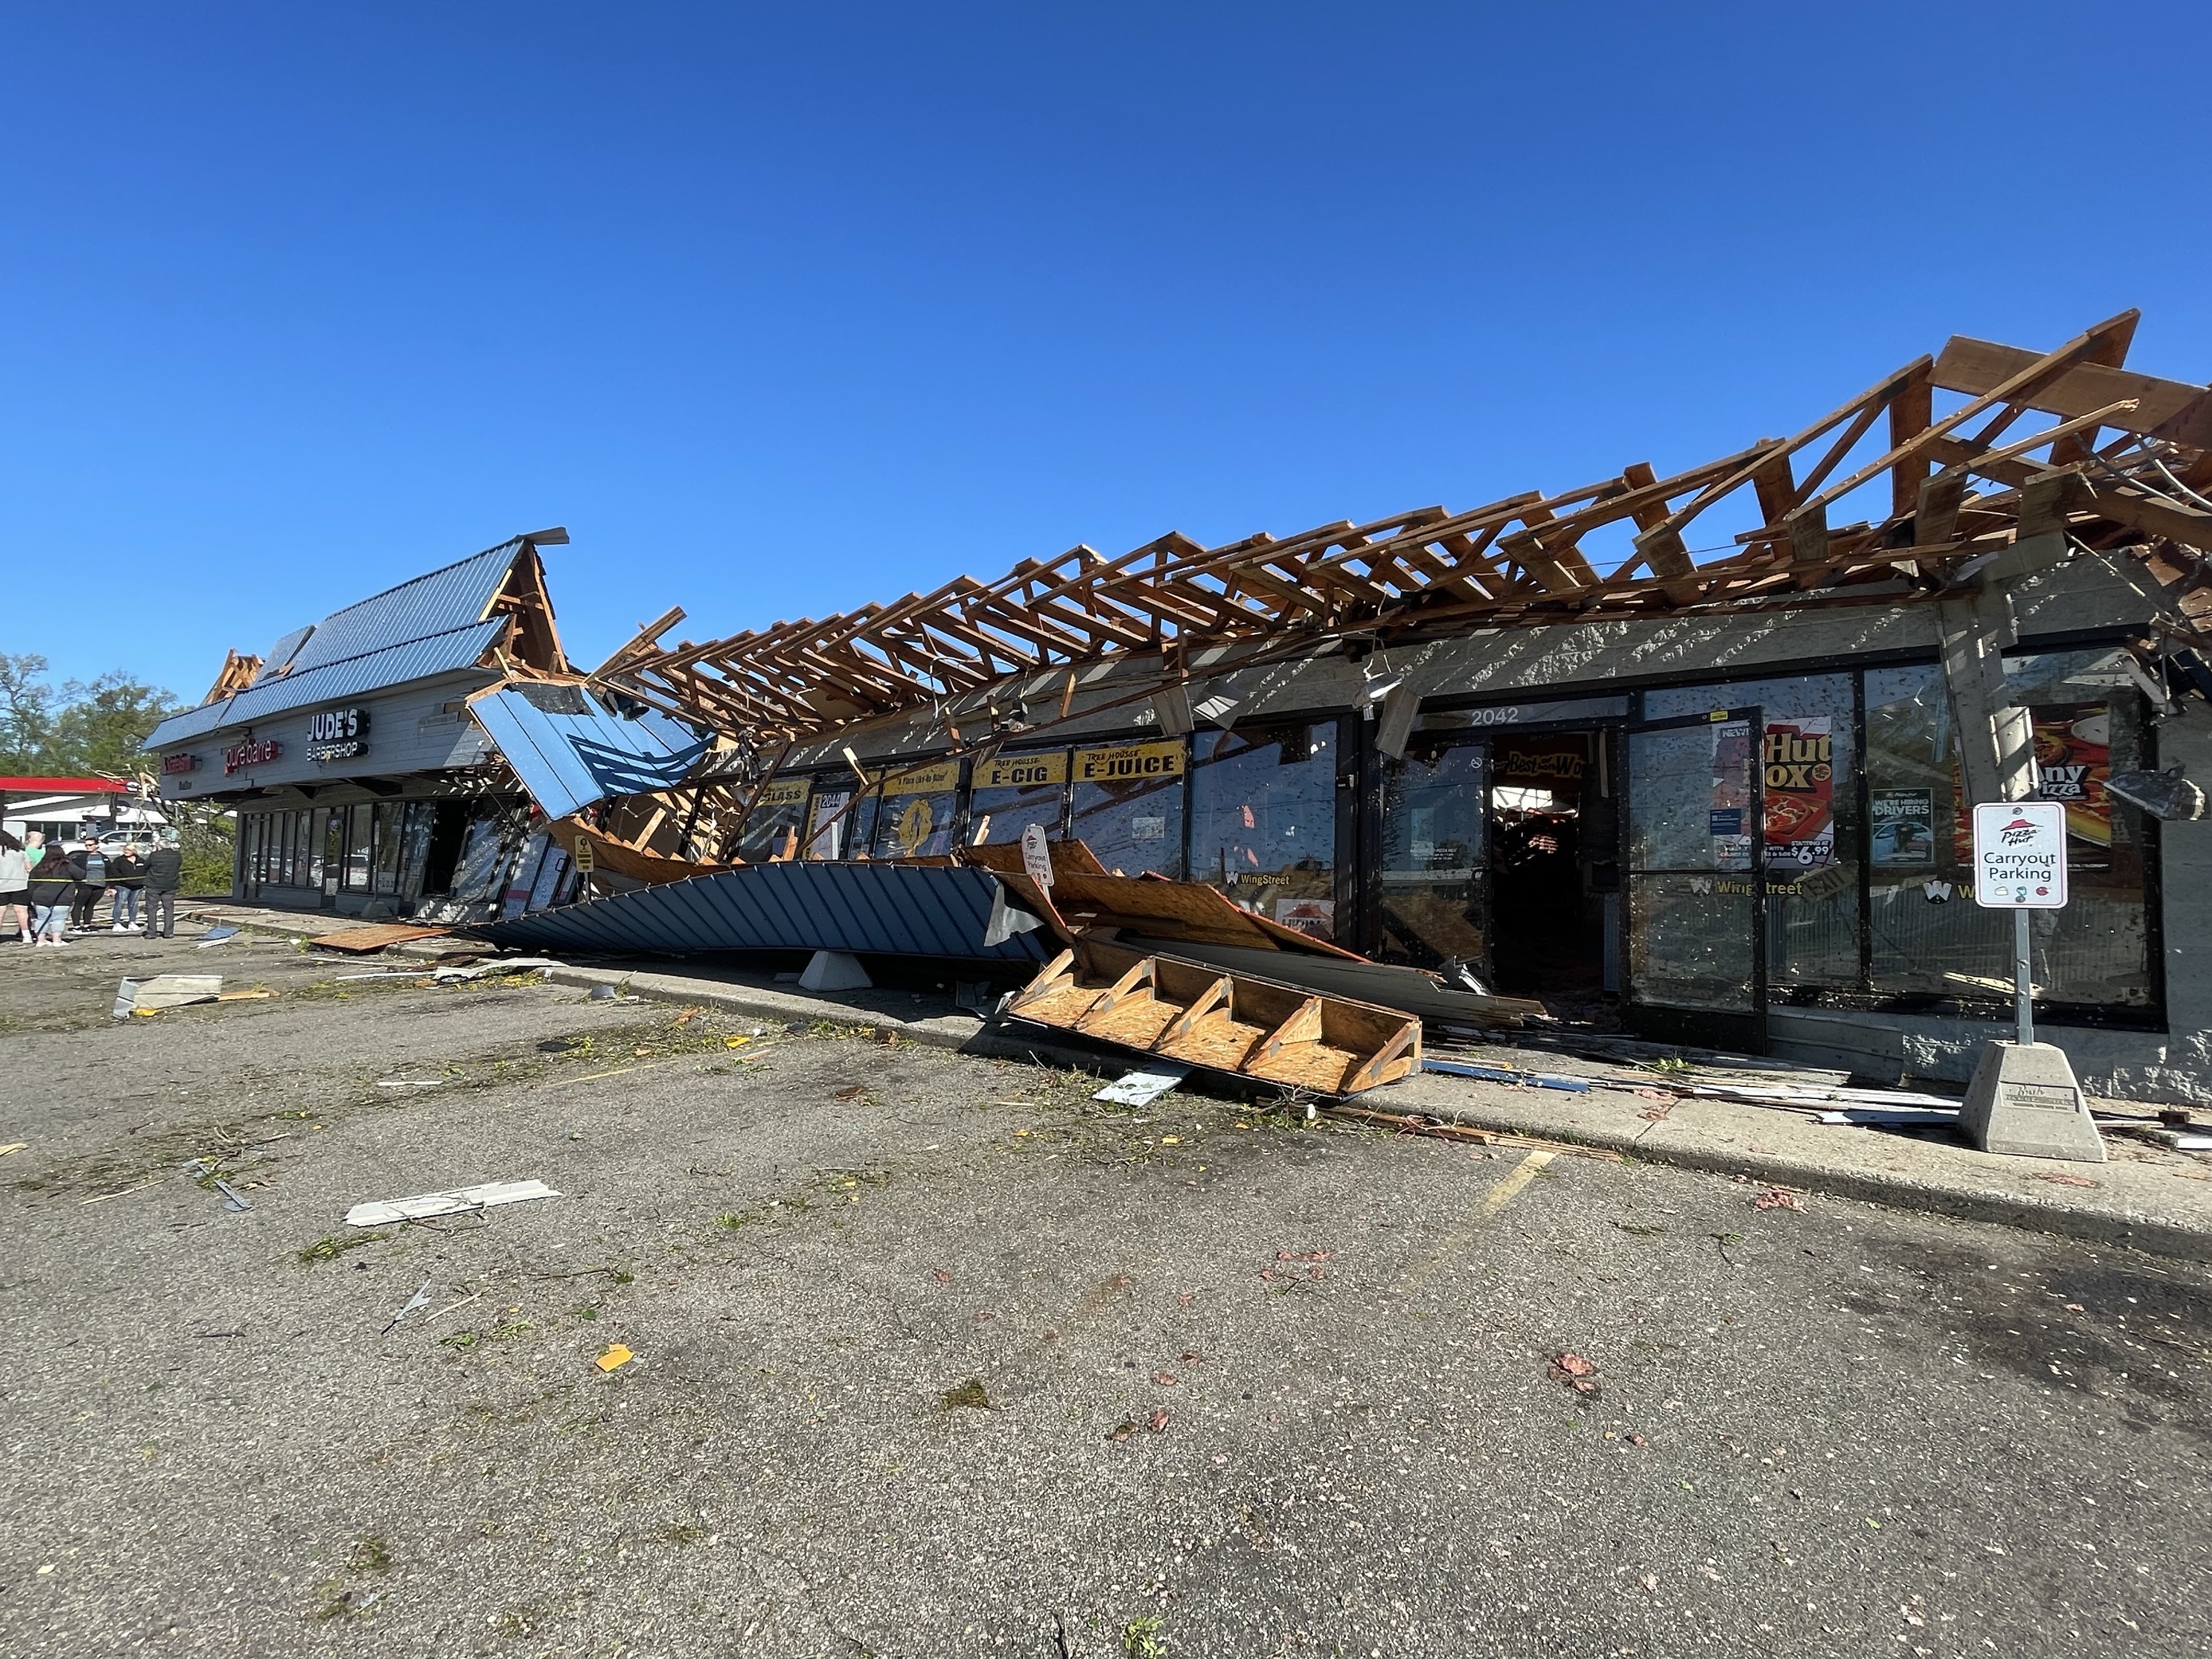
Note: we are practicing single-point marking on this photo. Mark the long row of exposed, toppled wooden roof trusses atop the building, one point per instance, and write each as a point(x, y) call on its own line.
point(1985, 448)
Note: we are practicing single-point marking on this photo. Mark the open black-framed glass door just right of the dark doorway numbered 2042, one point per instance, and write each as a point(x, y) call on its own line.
point(1695, 864)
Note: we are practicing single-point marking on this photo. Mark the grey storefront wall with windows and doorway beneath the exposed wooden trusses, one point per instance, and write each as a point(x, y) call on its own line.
point(1749, 831)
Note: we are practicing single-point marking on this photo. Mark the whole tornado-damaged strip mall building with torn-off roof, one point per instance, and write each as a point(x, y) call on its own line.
point(1726, 804)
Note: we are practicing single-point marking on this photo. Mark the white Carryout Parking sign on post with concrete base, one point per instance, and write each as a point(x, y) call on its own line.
point(2025, 1098)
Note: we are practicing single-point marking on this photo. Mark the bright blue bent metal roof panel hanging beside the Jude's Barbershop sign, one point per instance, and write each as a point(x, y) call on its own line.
point(567, 762)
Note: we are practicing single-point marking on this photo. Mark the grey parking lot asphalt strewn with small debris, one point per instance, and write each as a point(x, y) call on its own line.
point(935, 1355)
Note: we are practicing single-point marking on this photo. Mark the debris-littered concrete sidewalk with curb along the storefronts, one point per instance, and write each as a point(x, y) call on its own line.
point(2147, 1198)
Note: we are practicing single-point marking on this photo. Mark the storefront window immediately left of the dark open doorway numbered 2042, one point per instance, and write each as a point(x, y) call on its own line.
point(1432, 855)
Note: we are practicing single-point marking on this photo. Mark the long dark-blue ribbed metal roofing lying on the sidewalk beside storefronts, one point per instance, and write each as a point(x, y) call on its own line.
point(870, 910)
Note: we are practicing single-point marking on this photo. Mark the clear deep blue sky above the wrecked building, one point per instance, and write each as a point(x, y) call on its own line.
point(782, 311)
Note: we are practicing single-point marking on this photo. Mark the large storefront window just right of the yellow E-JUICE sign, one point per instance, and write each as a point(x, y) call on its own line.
point(1264, 822)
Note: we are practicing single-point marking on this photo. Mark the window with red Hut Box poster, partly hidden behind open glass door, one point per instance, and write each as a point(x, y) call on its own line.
point(1813, 833)
